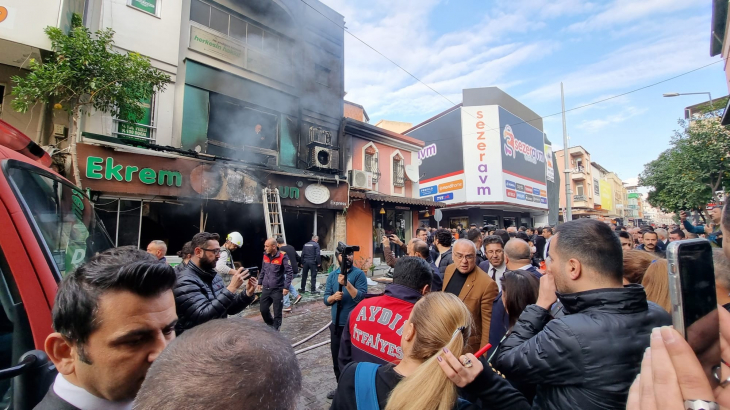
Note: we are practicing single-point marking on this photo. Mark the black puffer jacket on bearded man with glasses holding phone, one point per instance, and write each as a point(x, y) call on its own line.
point(201, 296)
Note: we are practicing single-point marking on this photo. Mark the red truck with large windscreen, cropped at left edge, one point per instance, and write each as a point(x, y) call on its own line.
point(47, 228)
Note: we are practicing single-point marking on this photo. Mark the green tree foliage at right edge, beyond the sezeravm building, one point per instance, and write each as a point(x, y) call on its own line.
point(687, 175)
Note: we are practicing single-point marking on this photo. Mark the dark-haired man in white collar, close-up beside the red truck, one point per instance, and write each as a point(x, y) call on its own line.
point(112, 317)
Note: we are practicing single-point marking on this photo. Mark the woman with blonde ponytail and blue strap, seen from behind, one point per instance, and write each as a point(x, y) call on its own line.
point(434, 336)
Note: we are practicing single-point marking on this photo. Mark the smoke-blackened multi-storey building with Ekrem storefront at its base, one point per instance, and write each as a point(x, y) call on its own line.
point(256, 102)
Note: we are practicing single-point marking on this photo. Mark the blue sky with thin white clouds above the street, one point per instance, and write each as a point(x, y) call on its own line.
point(597, 49)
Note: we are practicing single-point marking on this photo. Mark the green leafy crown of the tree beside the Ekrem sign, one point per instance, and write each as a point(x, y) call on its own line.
point(86, 71)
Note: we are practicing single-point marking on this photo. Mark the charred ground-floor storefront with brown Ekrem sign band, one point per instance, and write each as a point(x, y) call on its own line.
point(143, 196)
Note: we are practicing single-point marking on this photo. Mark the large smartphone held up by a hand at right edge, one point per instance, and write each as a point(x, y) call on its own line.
point(694, 301)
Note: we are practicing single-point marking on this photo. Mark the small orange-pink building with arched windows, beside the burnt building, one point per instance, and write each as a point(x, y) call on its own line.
point(383, 169)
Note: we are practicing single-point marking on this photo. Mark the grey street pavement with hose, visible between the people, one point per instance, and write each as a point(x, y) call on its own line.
point(308, 316)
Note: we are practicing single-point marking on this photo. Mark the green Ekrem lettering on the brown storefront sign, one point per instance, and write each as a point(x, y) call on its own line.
point(98, 168)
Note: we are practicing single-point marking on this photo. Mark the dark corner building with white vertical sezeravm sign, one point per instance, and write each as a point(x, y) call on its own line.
point(488, 161)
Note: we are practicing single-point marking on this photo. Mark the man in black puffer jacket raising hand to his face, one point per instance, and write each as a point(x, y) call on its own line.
point(588, 358)
